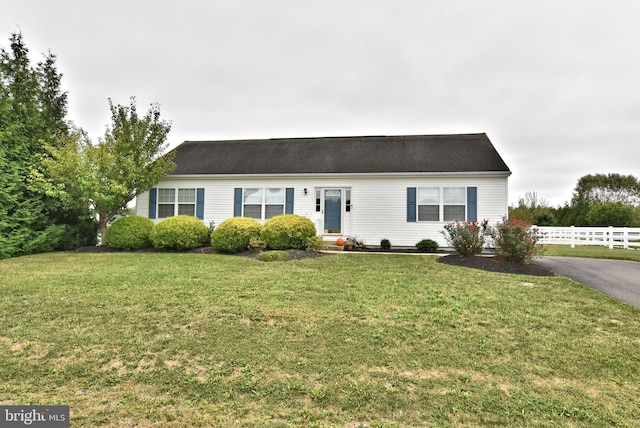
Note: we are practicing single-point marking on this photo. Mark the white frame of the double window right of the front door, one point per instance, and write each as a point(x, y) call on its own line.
point(449, 198)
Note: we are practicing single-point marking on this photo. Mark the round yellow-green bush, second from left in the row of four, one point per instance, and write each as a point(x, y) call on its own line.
point(181, 232)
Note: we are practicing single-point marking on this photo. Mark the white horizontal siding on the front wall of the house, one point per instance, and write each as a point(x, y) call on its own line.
point(379, 205)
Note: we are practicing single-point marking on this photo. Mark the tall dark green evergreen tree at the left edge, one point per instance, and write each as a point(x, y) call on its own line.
point(32, 111)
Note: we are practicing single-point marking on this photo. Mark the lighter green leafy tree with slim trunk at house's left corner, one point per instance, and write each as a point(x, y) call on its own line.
point(127, 161)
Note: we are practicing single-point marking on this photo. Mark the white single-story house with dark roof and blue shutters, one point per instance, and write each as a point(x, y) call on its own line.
point(403, 188)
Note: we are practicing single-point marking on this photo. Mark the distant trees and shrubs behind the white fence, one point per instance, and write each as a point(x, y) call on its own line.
point(598, 200)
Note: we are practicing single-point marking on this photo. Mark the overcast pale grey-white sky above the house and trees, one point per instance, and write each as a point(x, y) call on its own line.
point(555, 84)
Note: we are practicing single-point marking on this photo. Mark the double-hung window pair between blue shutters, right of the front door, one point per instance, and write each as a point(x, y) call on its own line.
point(442, 204)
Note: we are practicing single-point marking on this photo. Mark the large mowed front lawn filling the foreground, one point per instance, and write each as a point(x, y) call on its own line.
point(362, 340)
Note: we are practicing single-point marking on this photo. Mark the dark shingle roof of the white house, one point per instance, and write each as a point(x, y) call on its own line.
point(378, 154)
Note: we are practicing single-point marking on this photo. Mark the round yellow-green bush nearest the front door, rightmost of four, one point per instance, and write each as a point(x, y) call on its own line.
point(288, 231)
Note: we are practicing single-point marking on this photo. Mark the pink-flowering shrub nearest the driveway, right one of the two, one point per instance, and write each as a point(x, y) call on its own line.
point(516, 241)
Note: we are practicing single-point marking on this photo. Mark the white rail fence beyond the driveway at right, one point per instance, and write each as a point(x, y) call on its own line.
point(612, 237)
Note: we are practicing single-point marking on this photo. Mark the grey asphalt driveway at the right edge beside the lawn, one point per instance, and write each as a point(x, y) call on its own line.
point(617, 278)
